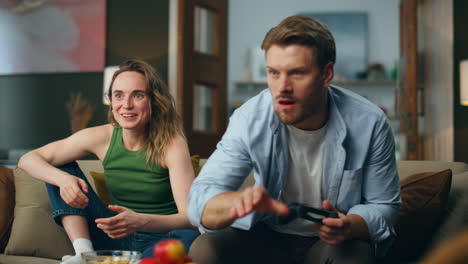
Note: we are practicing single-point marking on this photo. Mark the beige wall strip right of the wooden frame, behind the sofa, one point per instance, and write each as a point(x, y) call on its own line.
point(436, 38)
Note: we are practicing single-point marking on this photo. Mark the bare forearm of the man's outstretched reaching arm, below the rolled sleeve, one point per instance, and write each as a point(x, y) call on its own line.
point(216, 214)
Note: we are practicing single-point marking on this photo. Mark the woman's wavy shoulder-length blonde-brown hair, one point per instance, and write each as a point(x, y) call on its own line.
point(164, 122)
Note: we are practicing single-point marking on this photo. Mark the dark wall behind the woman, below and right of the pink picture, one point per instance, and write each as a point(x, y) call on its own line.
point(32, 106)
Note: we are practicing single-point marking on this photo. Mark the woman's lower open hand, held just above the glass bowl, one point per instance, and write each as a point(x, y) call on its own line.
point(121, 225)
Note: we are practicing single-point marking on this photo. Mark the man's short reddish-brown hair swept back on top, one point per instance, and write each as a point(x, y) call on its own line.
point(303, 30)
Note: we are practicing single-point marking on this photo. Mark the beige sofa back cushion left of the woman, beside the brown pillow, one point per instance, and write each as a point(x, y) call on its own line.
point(34, 232)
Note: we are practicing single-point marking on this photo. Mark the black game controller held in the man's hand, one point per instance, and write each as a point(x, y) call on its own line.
point(297, 210)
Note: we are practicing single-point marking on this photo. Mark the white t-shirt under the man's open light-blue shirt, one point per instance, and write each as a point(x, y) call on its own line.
point(304, 180)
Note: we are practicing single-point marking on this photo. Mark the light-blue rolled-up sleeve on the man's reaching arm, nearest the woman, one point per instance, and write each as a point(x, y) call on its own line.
point(225, 170)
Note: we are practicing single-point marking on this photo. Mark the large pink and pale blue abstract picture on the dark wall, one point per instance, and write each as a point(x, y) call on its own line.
point(44, 36)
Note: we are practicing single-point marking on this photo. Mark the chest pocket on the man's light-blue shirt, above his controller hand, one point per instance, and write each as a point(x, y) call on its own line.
point(350, 189)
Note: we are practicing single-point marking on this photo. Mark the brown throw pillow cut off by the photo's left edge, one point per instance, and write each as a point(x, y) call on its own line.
point(7, 204)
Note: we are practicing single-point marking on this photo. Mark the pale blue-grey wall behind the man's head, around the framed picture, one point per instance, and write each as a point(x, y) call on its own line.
point(249, 20)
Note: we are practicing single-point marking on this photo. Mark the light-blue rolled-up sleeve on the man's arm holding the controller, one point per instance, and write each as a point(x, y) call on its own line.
point(381, 190)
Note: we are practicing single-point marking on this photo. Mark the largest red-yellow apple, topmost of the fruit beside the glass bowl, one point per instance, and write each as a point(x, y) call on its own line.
point(170, 251)
